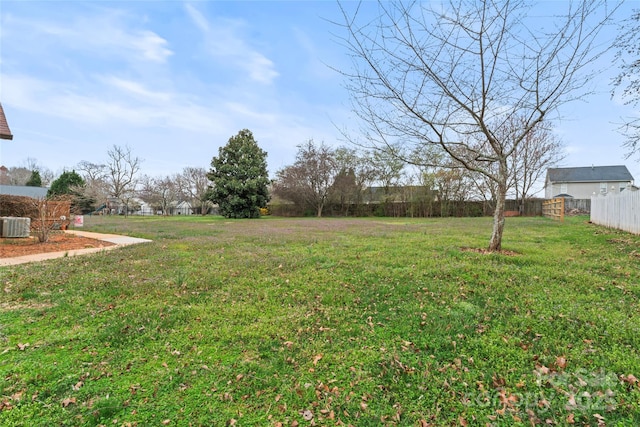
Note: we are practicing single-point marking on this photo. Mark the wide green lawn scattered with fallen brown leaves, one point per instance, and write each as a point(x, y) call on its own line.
point(300, 322)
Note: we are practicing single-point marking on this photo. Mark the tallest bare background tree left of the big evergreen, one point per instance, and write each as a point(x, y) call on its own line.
point(121, 169)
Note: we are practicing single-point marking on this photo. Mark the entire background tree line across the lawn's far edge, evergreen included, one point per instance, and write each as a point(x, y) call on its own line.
point(345, 177)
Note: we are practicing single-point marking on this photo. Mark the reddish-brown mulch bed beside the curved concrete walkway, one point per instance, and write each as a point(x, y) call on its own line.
point(58, 242)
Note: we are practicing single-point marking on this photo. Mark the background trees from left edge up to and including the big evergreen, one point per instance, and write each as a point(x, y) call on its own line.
point(237, 182)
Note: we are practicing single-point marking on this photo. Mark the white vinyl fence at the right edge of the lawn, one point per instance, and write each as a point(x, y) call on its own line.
point(621, 211)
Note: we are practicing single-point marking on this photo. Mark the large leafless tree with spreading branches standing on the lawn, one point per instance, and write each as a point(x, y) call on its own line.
point(453, 72)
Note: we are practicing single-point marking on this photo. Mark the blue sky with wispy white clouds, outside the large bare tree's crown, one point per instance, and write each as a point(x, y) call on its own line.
point(174, 80)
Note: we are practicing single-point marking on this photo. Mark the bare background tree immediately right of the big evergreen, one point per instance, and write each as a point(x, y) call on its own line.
point(309, 181)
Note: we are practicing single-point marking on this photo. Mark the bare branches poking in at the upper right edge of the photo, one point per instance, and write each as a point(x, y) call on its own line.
point(628, 80)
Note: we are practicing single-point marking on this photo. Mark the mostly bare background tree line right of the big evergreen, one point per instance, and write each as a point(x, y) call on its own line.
point(350, 177)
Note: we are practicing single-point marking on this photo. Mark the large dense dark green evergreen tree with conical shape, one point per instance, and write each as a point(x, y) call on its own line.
point(239, 176)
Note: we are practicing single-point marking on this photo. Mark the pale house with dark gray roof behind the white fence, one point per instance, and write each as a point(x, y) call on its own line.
point(584, 182)
